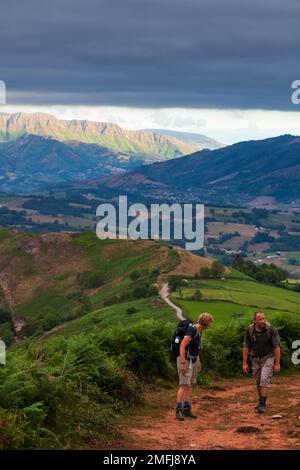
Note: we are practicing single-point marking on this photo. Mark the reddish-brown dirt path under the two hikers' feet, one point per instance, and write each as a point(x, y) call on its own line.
point(221, 410)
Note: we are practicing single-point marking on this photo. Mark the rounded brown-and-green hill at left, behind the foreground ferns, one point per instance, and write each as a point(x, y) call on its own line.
point(53, 278)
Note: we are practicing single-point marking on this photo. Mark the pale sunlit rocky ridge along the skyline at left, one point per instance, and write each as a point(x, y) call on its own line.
point(150, 145)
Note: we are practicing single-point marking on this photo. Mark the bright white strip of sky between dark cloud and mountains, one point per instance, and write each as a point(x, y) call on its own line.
point(225, 126)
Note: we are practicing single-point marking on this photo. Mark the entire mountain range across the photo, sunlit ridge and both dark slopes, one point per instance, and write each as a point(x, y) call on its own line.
point(38, 151)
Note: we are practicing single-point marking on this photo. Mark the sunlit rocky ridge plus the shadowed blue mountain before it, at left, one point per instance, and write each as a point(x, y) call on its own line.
point(37, 149)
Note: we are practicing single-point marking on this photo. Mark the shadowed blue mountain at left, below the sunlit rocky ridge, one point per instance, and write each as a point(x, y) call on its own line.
point(32, 163)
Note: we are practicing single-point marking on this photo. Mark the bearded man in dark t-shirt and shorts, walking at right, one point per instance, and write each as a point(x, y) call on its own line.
point(263, 343)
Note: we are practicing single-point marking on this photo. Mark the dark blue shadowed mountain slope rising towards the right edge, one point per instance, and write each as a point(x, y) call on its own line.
point(233, 174)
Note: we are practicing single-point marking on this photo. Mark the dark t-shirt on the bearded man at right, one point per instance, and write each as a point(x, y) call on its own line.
point(263, 342)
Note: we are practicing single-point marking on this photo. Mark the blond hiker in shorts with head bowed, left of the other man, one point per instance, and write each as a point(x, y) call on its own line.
point(188, 365)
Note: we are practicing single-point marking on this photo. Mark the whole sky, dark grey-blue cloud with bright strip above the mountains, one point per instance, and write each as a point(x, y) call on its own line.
point(218, 67)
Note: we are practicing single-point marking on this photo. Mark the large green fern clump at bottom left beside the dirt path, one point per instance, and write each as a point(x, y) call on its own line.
point(62, 393)
